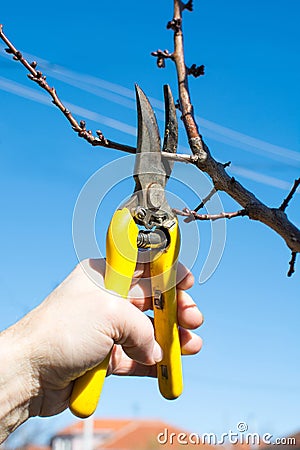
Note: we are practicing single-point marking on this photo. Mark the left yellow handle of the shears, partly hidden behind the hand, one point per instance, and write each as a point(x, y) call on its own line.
point(121, 256)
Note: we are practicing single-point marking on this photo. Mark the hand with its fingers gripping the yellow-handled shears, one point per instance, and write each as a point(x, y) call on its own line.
point(74, 329)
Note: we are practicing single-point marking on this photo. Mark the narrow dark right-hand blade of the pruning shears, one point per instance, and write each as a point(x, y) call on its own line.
point(171, 129)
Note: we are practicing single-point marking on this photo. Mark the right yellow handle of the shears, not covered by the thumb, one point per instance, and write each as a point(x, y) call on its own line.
point(163, 270)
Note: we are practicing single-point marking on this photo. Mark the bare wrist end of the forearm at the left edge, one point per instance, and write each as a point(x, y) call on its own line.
point(16, 385)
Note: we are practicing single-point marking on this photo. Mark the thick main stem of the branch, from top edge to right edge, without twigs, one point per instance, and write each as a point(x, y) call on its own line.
point(274, 218)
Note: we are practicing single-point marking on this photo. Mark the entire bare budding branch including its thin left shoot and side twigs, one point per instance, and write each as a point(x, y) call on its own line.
point(275, 218)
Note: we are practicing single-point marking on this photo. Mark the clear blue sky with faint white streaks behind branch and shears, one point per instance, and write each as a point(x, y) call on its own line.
point(248, 105)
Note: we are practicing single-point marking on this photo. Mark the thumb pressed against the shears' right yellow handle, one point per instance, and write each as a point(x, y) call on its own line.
point(135, 333)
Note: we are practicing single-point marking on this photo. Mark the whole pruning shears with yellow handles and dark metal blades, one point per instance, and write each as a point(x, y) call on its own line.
point(144, 223)
